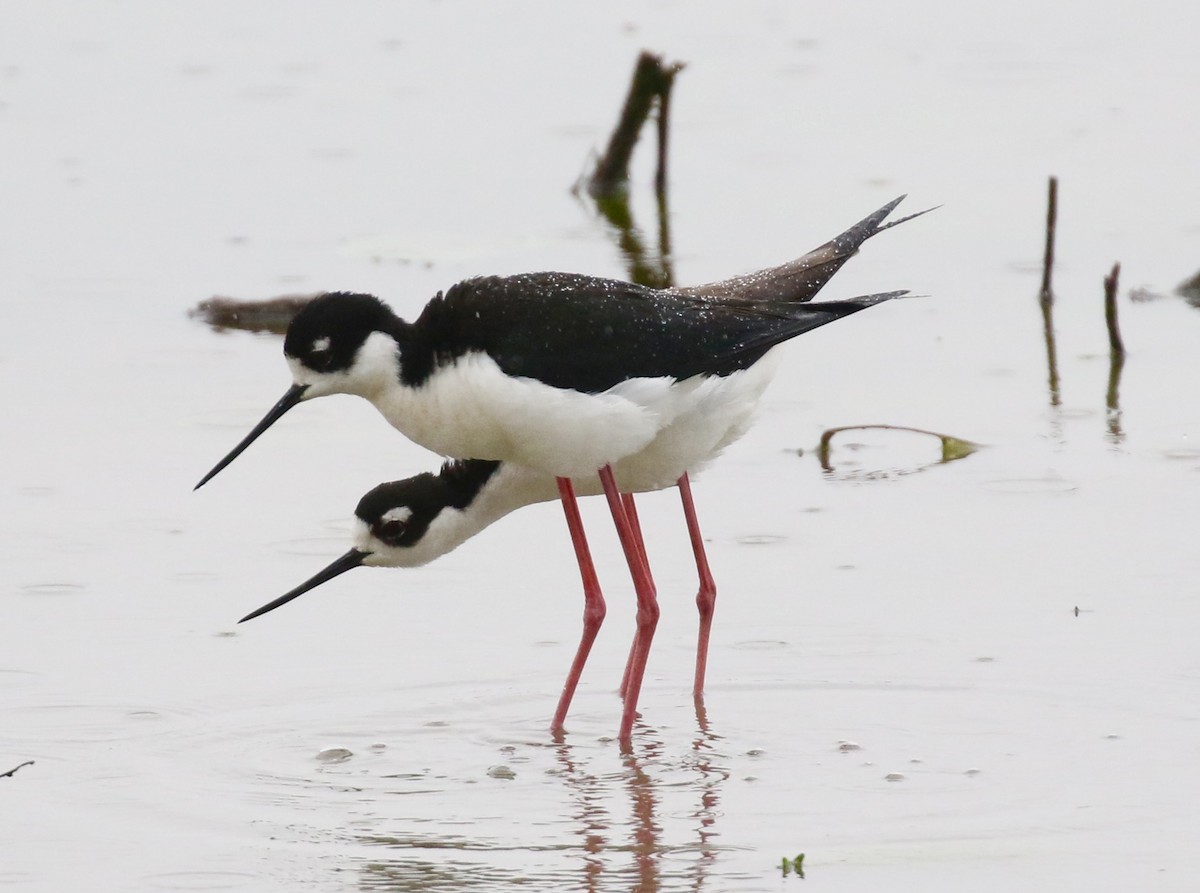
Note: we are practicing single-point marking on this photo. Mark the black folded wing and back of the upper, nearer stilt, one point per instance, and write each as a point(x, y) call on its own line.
point(590, 334)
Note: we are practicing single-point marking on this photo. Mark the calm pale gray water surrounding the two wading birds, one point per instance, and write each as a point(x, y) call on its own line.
point(980, 675)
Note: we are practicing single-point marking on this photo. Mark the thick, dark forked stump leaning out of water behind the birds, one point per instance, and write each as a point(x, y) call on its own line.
point(652, 82)
